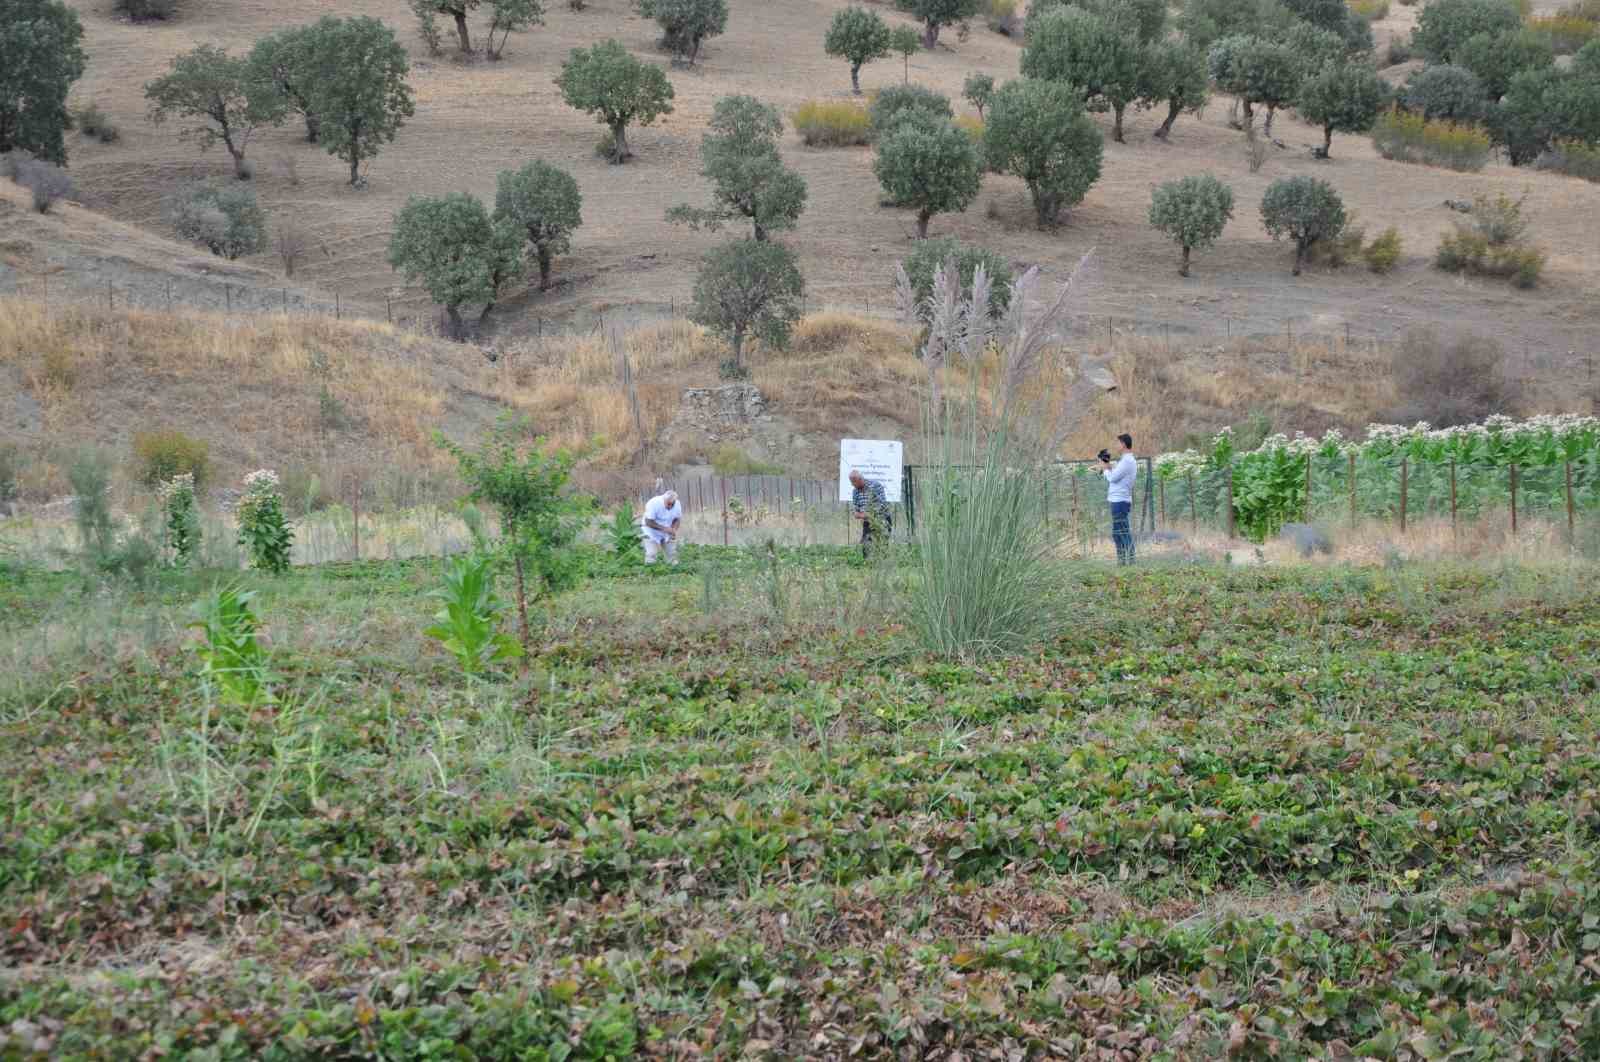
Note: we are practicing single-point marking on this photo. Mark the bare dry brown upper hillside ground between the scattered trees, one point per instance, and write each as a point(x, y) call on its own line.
point(476, 119)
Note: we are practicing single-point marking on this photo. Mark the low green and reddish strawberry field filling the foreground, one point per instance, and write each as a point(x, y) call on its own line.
point(734, 812)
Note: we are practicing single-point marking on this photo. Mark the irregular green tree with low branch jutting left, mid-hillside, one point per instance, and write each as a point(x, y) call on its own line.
point(748, 175)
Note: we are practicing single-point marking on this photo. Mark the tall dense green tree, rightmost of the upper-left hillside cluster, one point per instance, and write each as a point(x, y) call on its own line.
point(361, 97)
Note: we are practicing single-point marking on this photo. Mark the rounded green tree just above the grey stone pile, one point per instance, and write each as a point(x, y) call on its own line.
point(750, 289)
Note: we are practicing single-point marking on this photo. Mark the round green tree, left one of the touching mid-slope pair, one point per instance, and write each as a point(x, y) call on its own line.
point(457, 252)
